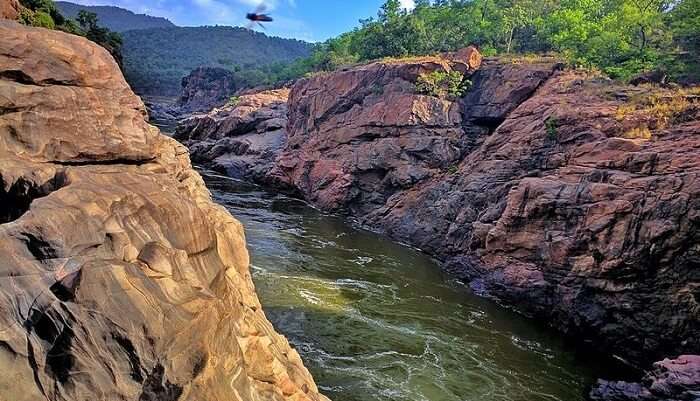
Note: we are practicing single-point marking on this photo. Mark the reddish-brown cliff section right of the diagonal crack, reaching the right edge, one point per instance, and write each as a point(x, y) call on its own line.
point(557, 214)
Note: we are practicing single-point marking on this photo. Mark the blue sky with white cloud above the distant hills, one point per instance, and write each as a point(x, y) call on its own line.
point(311, 20)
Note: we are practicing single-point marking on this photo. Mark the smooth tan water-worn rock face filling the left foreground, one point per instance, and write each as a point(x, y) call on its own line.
point(119, 277)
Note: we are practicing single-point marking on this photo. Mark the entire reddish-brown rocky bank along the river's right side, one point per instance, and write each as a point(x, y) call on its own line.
point(572, 198)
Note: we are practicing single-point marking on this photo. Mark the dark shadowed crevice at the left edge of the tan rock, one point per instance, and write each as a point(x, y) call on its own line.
point(15, 199)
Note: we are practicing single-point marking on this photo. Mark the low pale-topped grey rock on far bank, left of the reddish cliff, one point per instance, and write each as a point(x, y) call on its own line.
point(240, 140)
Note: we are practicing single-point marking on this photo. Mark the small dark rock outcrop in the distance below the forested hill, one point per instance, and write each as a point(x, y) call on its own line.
point(206, 88)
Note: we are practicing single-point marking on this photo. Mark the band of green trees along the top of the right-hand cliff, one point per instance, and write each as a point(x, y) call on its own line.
point(622, 38)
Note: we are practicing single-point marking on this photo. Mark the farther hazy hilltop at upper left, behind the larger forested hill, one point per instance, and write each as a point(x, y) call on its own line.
point(115, 18)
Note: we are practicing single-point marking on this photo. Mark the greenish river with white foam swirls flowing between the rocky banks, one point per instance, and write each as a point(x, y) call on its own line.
point(375, 320)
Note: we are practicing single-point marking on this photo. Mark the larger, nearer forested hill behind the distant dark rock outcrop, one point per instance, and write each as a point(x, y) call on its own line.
point(155, 60)
